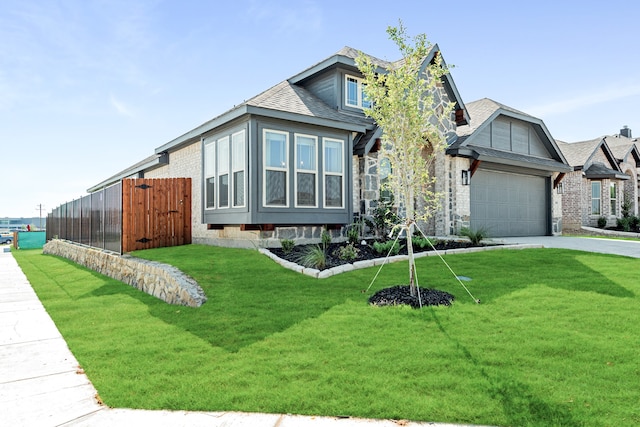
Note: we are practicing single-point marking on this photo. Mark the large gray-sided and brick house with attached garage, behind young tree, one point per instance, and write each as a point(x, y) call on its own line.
point(302, 156)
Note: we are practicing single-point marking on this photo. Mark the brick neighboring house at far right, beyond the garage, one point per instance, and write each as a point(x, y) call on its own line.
point(605, 173)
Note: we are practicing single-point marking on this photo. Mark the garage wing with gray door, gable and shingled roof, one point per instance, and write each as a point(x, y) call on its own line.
point(514, 166)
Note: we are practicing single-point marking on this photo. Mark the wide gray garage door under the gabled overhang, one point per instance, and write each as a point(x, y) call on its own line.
point(509, 204)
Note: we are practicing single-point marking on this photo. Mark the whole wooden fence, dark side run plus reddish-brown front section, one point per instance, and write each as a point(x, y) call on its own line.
point(130, 215)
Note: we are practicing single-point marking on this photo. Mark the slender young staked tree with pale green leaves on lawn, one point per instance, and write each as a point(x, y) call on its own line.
point(408, 103)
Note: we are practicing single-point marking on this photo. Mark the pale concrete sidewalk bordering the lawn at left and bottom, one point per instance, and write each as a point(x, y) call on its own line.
point(41, 383)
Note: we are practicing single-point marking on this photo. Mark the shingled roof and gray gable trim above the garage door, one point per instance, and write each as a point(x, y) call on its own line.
point(485, 111)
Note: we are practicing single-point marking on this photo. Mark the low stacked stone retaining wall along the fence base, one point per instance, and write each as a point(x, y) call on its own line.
point(160, 280)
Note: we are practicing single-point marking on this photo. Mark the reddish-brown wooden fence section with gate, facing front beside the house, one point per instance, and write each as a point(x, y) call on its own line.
point(155, 213)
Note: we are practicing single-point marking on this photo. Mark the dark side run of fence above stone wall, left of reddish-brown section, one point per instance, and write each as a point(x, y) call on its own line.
point(93, 220)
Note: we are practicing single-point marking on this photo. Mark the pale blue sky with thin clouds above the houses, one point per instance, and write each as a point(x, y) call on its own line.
point(88, 88)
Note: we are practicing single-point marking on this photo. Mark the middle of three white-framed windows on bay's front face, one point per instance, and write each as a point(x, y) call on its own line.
point(306, 170)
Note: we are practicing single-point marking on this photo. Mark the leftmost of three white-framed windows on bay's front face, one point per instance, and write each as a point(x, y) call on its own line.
point(276, 148)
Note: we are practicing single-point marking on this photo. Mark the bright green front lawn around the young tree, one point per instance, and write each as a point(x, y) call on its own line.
point(554, 341)
